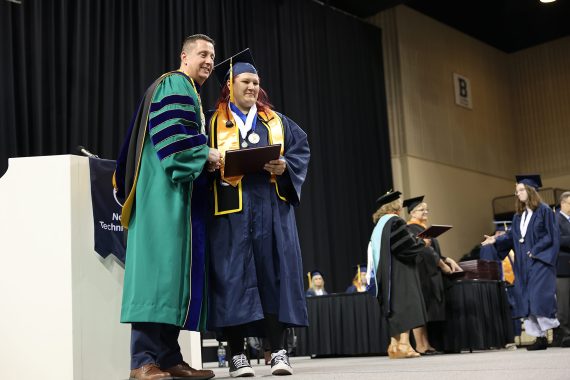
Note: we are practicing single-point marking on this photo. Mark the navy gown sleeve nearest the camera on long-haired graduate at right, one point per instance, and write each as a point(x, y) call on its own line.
point(546, 247)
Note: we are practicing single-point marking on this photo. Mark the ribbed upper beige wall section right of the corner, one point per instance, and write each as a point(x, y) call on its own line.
point(541, 93)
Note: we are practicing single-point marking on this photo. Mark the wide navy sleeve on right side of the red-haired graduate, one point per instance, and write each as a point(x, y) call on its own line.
point(297, 156)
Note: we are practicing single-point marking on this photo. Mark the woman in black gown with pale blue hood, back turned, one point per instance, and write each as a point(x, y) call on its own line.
point(392, 255)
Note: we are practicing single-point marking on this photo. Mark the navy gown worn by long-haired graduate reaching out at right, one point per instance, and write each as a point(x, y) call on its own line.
point(535, 277)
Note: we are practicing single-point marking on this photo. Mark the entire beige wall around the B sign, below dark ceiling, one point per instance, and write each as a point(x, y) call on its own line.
point(459, 158)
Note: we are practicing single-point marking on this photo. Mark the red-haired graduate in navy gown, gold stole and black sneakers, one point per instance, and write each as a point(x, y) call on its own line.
point(256, 282)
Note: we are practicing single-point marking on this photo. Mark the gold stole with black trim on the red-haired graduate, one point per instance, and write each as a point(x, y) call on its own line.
point(224, 138)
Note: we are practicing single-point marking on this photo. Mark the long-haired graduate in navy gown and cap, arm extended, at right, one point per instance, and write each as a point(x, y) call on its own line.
point(534, 236)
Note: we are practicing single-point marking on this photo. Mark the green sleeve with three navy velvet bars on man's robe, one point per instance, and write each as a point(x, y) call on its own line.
point(174, 128)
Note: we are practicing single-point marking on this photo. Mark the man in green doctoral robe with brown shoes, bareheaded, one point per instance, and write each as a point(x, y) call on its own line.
point(159, 177)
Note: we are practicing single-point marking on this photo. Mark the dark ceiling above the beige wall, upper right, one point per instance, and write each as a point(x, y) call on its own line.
point(509, 25)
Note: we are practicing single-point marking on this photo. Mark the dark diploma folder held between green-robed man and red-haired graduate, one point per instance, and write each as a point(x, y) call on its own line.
point(249, 160)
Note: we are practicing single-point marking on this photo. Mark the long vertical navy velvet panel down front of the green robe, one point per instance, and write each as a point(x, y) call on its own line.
point(198, 207)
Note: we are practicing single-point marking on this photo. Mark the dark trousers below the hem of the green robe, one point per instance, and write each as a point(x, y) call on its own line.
point(155, 343)
